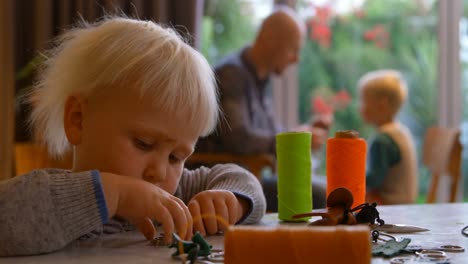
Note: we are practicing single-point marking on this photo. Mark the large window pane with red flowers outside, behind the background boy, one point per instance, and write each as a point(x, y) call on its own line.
point(349, 38)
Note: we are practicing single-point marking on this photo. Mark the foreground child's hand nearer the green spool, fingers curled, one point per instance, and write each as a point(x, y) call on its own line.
point(210, 208)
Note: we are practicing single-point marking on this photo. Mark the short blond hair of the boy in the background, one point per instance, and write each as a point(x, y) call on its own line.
point(387, 84)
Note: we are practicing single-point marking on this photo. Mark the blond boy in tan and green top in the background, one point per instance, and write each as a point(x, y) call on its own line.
point(391, 176)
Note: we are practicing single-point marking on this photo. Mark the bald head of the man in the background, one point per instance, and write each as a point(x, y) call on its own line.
point(279, 40)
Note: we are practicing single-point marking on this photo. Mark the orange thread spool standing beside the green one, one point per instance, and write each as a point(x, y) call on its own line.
point(346, 164)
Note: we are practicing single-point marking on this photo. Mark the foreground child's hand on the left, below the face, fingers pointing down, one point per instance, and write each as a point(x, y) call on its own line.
point(141, 202)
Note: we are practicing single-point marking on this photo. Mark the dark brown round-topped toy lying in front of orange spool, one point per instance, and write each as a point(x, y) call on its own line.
point(339, 211)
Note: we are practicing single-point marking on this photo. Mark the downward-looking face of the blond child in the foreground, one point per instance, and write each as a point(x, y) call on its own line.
point(126, 135)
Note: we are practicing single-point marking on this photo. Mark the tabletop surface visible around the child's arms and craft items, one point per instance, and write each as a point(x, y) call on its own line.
point(445, 222)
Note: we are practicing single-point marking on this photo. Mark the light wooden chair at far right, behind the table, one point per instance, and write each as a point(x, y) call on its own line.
point(442, 152)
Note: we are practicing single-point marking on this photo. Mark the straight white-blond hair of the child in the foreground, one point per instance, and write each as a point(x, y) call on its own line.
point(123, 52)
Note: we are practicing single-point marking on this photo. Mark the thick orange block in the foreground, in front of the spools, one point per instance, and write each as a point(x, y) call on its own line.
point(297, 244)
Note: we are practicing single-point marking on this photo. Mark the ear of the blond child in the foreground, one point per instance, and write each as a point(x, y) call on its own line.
point(73, 119)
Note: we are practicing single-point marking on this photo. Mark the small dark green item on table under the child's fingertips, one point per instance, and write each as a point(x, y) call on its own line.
point(198, 247)
